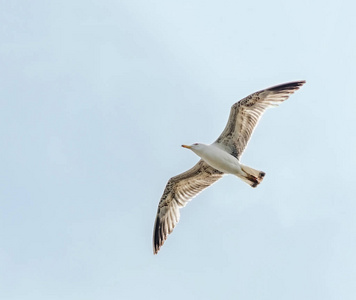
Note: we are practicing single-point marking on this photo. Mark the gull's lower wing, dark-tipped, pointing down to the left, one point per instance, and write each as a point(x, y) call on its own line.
point(179, 190)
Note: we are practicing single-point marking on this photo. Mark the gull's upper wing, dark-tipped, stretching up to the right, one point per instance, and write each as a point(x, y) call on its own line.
point(246, 113)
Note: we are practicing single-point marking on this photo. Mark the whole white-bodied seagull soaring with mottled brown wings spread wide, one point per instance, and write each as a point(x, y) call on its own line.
point(220, 158)
